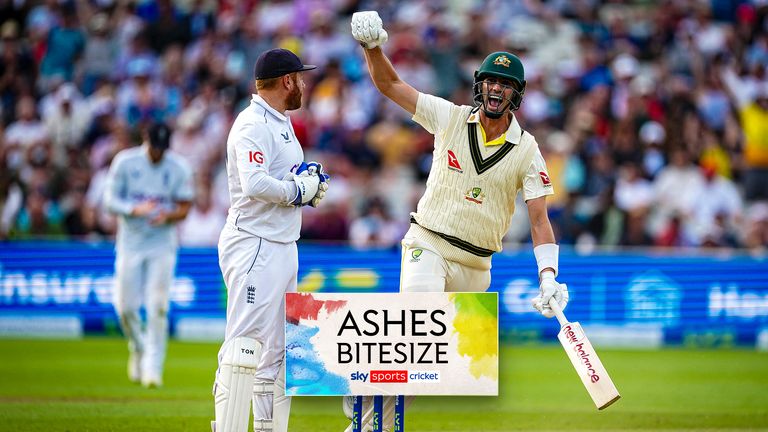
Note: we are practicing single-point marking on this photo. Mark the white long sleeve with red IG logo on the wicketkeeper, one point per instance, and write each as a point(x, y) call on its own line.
point(254, 154)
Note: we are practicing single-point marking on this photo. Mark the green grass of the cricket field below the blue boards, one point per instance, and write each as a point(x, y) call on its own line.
point(82, 386)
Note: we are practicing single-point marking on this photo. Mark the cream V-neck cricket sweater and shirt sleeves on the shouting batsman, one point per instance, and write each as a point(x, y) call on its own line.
point(471, 190)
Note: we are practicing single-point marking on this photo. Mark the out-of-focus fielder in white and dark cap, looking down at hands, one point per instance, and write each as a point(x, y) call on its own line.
point(150, 189)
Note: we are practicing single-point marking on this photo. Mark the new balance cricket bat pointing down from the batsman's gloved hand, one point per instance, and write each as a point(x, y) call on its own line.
point(584, 358)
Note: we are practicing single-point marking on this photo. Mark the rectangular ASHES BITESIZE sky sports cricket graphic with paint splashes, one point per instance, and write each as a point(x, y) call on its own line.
point(392, 344)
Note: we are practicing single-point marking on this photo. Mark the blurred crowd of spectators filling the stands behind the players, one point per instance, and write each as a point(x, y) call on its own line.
point(652, 116)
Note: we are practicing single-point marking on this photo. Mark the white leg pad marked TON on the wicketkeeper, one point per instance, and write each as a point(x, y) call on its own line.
point(234, 385)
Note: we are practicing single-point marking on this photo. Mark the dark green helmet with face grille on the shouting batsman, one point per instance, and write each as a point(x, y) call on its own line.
point(501, 65)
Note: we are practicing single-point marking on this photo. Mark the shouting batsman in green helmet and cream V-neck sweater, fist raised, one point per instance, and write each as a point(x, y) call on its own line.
point(482, 159)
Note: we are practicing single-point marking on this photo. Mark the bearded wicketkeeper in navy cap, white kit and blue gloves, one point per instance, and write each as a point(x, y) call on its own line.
point(268, 185)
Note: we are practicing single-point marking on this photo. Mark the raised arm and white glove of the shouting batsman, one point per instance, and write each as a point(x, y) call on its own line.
point(368, 30)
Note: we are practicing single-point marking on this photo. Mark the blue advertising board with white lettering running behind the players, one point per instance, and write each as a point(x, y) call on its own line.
point(700, 298)
